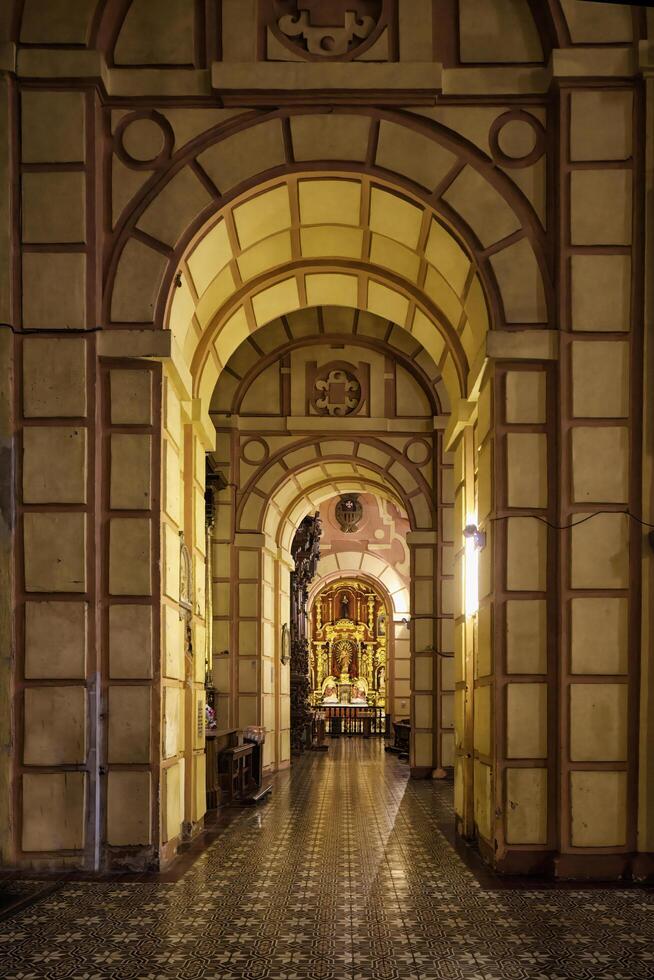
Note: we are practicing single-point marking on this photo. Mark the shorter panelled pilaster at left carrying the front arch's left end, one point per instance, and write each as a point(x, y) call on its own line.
point(131, 394)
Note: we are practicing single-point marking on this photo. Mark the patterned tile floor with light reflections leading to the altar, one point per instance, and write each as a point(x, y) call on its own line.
point(344, 874)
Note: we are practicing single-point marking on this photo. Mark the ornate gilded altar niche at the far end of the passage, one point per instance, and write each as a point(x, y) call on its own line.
point(348, 658)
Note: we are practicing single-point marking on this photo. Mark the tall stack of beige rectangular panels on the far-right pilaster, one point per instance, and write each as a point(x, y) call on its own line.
point(599, 451)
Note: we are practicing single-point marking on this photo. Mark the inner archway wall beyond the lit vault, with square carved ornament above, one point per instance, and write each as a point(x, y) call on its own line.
point(289, 457)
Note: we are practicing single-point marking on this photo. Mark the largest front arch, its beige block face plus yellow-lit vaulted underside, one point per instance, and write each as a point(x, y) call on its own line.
point(429, 211)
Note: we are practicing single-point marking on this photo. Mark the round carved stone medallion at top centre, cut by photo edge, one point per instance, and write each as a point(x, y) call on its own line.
point(328, 28)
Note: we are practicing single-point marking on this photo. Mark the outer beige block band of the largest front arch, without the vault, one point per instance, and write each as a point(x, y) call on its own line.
point(484, 210)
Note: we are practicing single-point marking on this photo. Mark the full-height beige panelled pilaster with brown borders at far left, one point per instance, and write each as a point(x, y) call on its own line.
point(58, 666)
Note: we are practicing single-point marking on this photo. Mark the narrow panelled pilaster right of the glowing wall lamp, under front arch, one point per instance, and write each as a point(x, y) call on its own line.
point(517, 497)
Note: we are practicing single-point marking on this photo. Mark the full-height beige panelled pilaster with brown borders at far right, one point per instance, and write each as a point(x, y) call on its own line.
point(600, 419)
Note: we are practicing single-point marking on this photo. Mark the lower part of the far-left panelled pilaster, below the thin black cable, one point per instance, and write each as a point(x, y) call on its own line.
point(56, 714)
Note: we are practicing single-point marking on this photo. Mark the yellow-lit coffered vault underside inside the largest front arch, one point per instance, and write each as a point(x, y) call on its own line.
point(416, 273)
